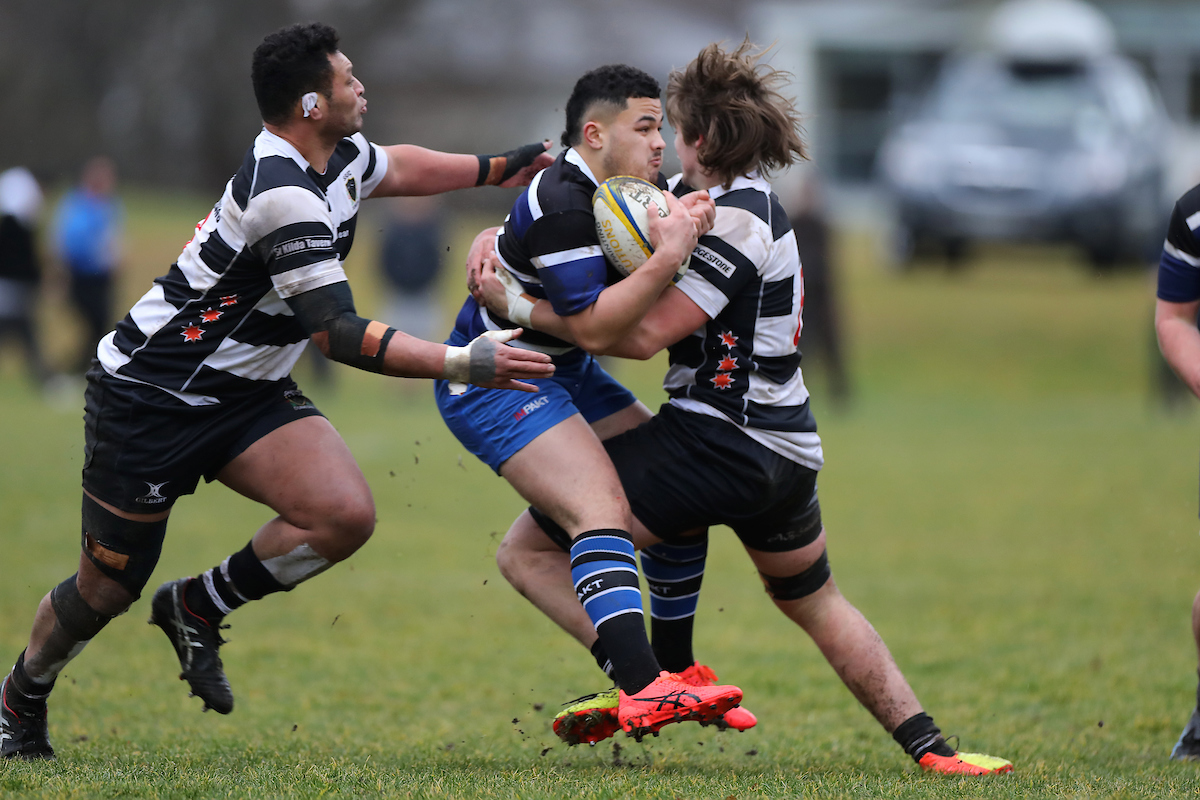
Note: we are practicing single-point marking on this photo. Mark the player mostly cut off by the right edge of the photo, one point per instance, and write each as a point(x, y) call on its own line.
point(1175, 323)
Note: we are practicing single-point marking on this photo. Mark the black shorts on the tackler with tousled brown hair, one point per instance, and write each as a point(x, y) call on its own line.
point(683, 471)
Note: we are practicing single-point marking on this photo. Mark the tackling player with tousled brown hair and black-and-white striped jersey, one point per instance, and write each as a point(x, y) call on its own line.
point(739, 417)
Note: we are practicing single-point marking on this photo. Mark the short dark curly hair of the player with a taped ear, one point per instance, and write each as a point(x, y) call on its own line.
point(291, 63)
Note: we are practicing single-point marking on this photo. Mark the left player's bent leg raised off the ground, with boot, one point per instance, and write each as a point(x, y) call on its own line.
point(305, 473)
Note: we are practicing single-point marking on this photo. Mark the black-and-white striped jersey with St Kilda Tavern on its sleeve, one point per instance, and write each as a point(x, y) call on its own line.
point(218, 326)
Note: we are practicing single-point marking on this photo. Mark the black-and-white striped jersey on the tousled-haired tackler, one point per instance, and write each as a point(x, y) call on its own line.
point(745, 365)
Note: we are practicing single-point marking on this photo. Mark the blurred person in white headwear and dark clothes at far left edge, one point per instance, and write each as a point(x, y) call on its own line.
point(21, 202)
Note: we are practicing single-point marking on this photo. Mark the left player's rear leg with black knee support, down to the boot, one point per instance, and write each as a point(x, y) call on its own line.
point(121, 551)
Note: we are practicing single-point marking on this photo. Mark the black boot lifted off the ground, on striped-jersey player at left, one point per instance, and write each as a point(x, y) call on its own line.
point(197, 643)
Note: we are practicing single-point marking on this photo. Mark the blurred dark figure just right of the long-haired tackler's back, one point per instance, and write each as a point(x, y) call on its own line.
point(823, 321)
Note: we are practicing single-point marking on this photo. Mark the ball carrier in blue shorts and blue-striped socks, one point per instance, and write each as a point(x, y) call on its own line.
point(549, 448)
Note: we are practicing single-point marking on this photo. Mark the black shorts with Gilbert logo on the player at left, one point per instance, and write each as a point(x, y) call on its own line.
point(143, 448)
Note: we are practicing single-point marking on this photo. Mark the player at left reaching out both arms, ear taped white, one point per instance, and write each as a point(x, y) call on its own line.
point(195, 382)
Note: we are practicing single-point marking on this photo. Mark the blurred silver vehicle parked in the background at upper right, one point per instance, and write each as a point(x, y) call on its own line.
point(1027, 145)
